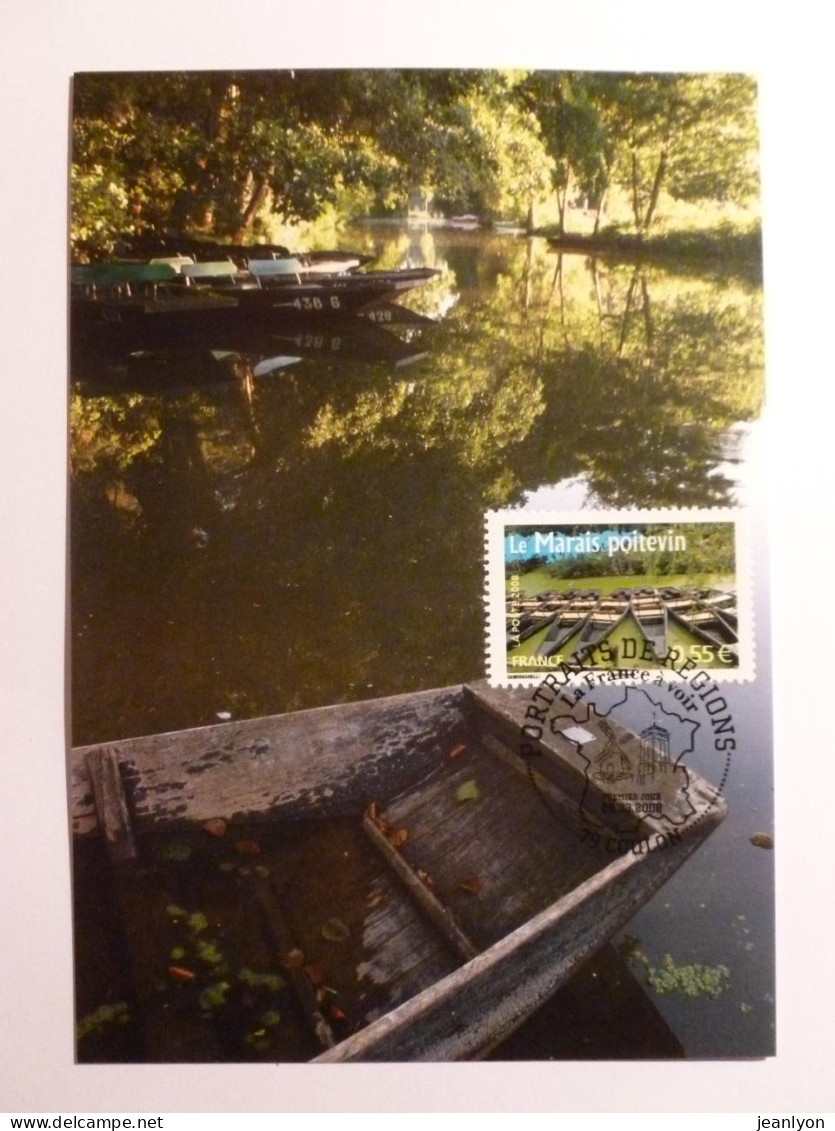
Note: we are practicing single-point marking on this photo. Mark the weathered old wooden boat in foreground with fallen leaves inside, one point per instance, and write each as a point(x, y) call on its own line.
point(467, 894)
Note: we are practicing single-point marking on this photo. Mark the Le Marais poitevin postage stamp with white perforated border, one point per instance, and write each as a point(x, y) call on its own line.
point(621, 593)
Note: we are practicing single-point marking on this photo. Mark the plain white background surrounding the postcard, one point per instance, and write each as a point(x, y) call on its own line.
point(41, 44)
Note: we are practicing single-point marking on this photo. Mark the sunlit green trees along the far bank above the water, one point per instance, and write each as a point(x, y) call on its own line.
point(254, 156)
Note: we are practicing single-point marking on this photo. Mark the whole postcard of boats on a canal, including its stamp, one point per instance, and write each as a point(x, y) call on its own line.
point(369, 368)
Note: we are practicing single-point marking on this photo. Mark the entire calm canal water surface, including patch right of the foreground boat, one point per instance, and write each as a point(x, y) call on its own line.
point(274, 524)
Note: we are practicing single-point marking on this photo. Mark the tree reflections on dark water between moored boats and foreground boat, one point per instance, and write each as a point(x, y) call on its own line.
point(322, 539)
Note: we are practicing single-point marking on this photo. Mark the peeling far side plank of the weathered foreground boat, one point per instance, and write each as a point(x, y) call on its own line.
point(328, 762)
